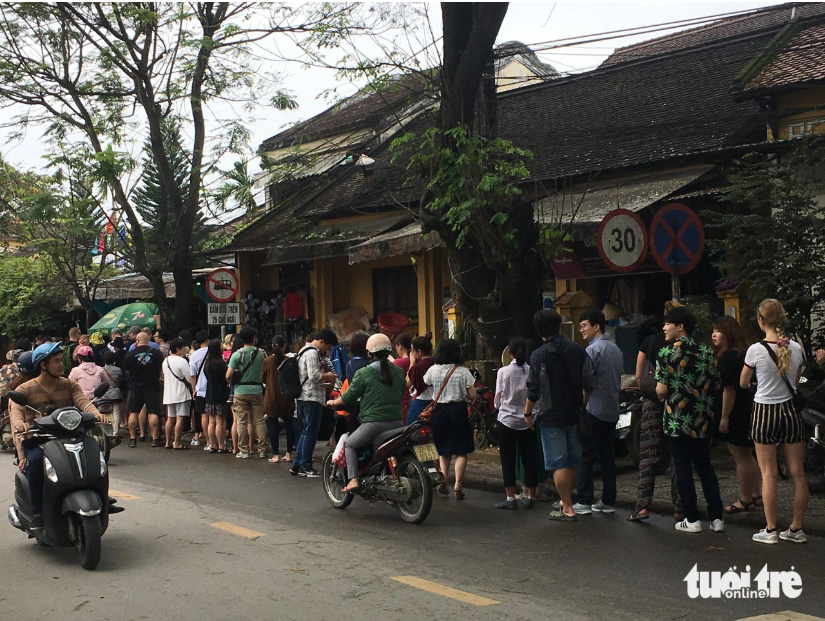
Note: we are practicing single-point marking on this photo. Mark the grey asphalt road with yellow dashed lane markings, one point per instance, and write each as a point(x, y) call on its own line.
point(210, 537)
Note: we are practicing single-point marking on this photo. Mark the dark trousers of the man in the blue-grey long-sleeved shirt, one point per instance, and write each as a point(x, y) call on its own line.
point(598, 447)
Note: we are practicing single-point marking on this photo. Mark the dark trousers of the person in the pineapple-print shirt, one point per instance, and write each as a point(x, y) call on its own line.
point(689, 454)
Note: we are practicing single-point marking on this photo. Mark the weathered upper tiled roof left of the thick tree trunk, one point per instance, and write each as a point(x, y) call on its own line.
point(366, 109)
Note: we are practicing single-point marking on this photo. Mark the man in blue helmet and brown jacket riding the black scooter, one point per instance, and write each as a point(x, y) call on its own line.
point(49, 388)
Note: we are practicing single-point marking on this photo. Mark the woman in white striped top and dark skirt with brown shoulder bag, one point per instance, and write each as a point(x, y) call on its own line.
point(452, 433)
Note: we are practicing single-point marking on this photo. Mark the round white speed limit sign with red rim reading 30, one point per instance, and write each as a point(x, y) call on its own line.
point(622, 240)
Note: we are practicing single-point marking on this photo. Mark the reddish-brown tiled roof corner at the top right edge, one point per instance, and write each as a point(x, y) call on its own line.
point(802, 59)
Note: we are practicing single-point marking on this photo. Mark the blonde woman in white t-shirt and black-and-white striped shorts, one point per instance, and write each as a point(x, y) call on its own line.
point(777, 363)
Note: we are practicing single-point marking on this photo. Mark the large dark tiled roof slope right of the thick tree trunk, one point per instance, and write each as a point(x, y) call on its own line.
point(634, 113)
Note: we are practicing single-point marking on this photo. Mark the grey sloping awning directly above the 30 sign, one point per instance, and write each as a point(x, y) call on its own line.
point(594, 201)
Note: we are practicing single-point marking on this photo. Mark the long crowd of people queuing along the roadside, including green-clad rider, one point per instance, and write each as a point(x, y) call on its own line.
point(556, 401)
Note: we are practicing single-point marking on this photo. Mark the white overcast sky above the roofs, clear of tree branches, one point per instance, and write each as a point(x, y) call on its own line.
point(530, 23)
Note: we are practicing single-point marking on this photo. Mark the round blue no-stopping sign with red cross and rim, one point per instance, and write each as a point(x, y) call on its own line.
point(677, 239)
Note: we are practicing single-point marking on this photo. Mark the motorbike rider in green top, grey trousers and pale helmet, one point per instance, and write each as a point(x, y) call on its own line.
point(380, 386)
